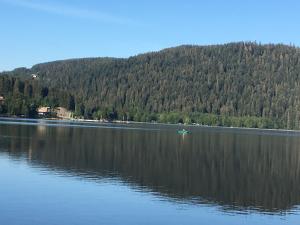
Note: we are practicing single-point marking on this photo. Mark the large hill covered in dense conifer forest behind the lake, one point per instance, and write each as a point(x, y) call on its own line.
point(215, 84)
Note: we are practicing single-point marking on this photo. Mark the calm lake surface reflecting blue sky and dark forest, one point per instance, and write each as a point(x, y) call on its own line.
point(82, 173)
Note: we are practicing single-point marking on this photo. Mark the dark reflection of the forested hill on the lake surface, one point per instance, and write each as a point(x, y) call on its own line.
point(226, 168)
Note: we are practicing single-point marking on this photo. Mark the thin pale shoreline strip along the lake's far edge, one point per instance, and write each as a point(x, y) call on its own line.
point(146, 123)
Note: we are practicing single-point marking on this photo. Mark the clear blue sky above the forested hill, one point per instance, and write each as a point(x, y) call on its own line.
point(34, 31)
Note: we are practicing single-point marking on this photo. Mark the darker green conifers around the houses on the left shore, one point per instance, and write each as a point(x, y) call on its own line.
point(23, 97)
